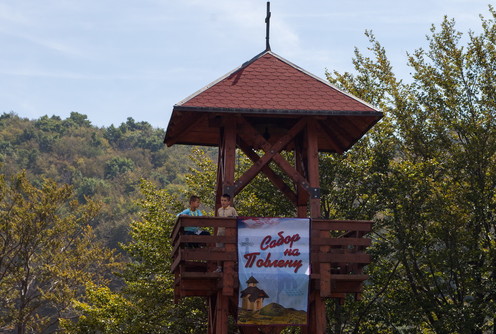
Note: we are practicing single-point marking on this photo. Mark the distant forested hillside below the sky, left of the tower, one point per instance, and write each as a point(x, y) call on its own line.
point(105, 164)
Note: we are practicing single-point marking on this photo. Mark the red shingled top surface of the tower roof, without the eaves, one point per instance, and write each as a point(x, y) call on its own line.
point(269, 82)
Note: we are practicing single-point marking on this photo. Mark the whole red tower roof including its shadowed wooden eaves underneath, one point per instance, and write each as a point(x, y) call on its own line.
point(270, 91)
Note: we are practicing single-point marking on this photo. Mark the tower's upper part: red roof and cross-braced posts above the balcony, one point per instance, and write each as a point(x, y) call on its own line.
point(270, 104)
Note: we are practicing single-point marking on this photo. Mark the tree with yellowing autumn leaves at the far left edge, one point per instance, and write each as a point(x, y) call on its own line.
point(47, 253)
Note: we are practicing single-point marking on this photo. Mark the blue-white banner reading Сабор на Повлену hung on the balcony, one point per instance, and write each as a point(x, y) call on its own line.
point(274, 271)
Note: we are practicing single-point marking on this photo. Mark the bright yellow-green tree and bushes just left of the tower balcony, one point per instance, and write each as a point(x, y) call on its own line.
point(145, 304)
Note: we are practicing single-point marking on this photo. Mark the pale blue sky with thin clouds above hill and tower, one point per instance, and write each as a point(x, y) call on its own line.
point(114, 59)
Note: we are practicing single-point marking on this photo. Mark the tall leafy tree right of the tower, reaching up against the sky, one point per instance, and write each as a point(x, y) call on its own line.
point(429, 169)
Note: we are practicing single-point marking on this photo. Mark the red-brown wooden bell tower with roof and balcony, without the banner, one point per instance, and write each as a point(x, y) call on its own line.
point(270, 105)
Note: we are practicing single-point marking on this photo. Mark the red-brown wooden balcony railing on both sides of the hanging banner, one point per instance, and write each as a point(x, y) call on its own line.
point(337, 257)
